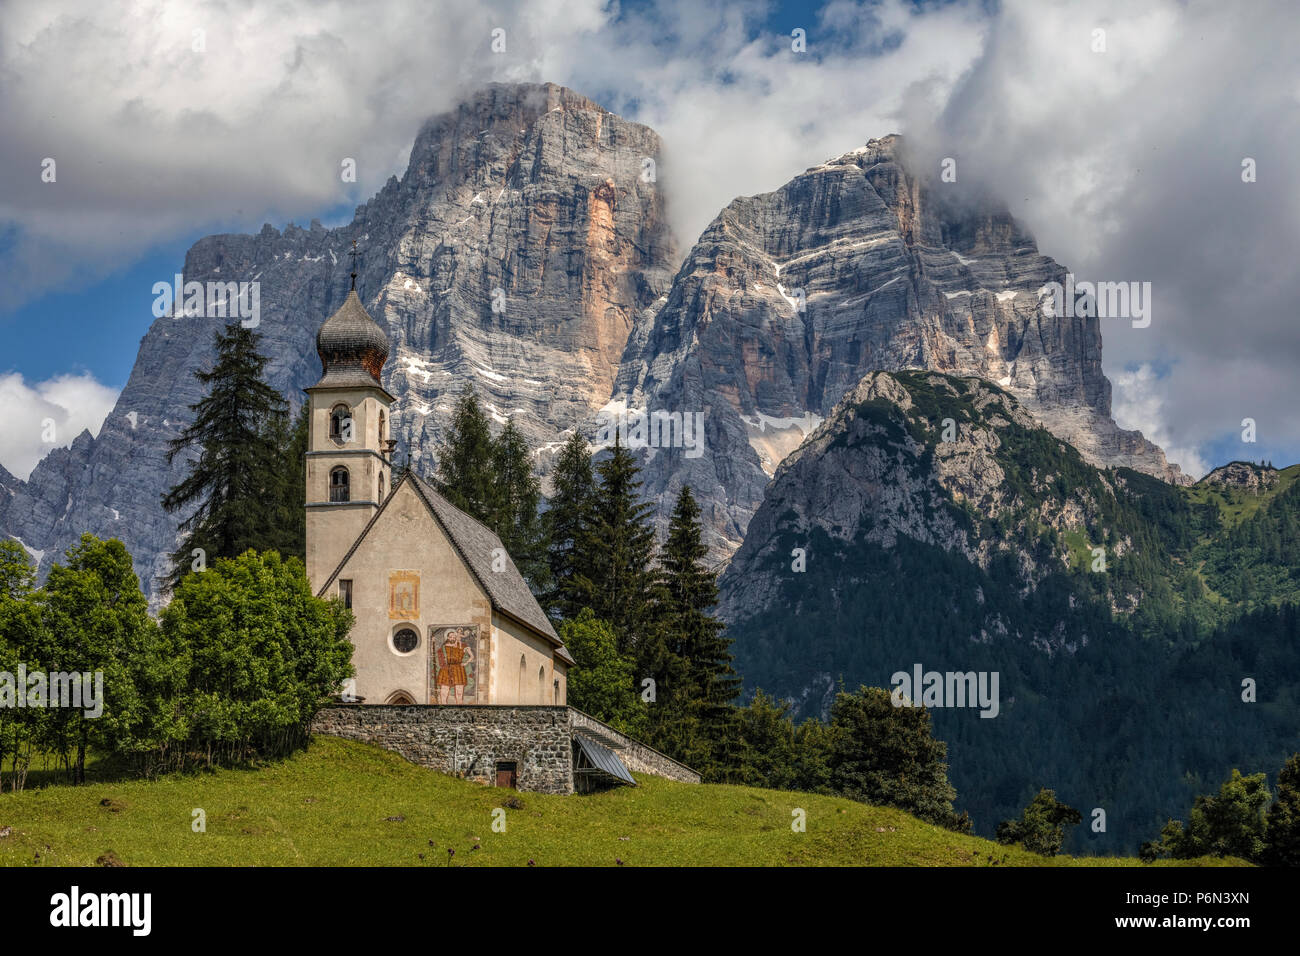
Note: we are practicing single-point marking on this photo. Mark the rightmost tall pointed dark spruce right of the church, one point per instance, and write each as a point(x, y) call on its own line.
point(694, 663)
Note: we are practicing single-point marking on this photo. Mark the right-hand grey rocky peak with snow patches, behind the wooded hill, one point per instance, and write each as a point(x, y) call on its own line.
point(857, 265)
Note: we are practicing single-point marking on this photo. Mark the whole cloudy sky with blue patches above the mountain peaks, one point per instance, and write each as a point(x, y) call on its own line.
point(1125, 165)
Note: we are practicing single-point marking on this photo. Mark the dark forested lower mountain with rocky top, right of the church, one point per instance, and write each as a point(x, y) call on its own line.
point(942, 526)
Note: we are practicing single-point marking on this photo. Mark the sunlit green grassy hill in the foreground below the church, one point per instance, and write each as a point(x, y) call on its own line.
point(332, 806)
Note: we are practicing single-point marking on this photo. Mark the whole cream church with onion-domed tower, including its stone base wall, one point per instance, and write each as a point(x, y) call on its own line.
point(458, 668)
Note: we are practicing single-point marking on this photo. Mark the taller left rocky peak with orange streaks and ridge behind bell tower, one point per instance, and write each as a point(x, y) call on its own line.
point(514, 256)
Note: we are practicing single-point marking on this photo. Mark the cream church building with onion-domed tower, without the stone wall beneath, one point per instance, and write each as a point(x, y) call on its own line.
point(443, 613)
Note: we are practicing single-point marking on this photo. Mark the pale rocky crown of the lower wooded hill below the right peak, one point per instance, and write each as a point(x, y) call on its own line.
point(883, 468)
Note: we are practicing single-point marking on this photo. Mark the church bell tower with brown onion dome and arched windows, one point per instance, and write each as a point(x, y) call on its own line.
point(349, 469)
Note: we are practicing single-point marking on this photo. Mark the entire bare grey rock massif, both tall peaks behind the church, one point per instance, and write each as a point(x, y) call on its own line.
point(526, 253)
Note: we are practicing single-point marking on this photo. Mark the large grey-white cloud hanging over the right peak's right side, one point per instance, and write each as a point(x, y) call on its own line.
point(1126, 166)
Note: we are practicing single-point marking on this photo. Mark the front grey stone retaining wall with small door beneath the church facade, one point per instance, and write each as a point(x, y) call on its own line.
point(465, 741)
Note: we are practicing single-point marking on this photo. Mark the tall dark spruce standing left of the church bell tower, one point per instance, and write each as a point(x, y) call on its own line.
point(237, 485)
